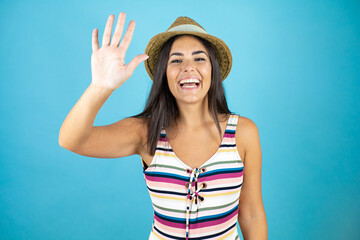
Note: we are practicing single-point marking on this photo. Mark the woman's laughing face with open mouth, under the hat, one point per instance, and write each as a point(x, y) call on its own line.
point(188, 70)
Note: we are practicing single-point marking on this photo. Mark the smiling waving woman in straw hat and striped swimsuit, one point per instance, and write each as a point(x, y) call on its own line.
point(197, 155)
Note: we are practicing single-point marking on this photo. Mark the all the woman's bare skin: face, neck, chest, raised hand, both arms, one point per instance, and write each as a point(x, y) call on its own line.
point(195, 126)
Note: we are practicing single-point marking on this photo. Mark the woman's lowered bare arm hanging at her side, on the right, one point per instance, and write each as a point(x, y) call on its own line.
point(252, 218)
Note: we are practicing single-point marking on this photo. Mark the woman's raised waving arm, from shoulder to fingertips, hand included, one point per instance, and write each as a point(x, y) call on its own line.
point(109, 72)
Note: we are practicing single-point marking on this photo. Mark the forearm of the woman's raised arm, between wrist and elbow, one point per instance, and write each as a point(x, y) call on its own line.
point(77, 125)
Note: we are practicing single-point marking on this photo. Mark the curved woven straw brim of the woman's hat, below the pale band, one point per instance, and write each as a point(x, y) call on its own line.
point(155, 44)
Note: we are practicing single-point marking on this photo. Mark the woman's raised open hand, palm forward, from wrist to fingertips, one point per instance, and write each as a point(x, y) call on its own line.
point(108, 69)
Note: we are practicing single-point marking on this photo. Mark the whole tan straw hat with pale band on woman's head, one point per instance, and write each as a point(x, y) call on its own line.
point(185, 25)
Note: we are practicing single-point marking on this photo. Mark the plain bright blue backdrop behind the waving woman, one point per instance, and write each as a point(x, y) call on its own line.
point(296, 74)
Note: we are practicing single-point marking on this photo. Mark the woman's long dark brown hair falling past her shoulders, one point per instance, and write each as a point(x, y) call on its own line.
point(161, 108)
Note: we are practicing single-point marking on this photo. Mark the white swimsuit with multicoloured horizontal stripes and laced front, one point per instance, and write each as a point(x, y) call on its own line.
point(198, 203)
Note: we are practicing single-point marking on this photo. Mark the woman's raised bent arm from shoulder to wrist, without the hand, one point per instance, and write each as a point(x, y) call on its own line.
point(77, 134)
